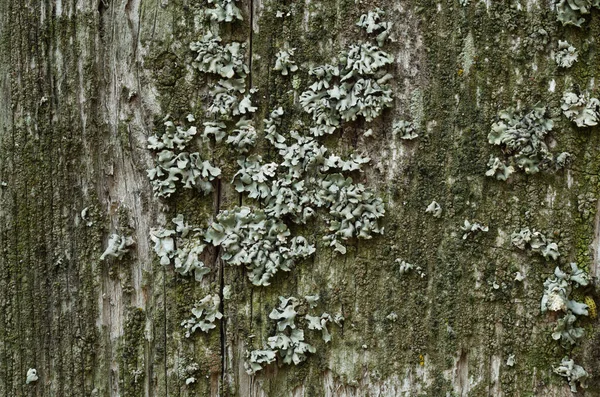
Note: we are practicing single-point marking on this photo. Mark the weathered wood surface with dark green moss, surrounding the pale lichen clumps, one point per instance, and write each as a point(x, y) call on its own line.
point(84, 82)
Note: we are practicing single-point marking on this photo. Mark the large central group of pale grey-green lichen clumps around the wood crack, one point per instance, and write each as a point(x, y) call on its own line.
point(302, 179)
